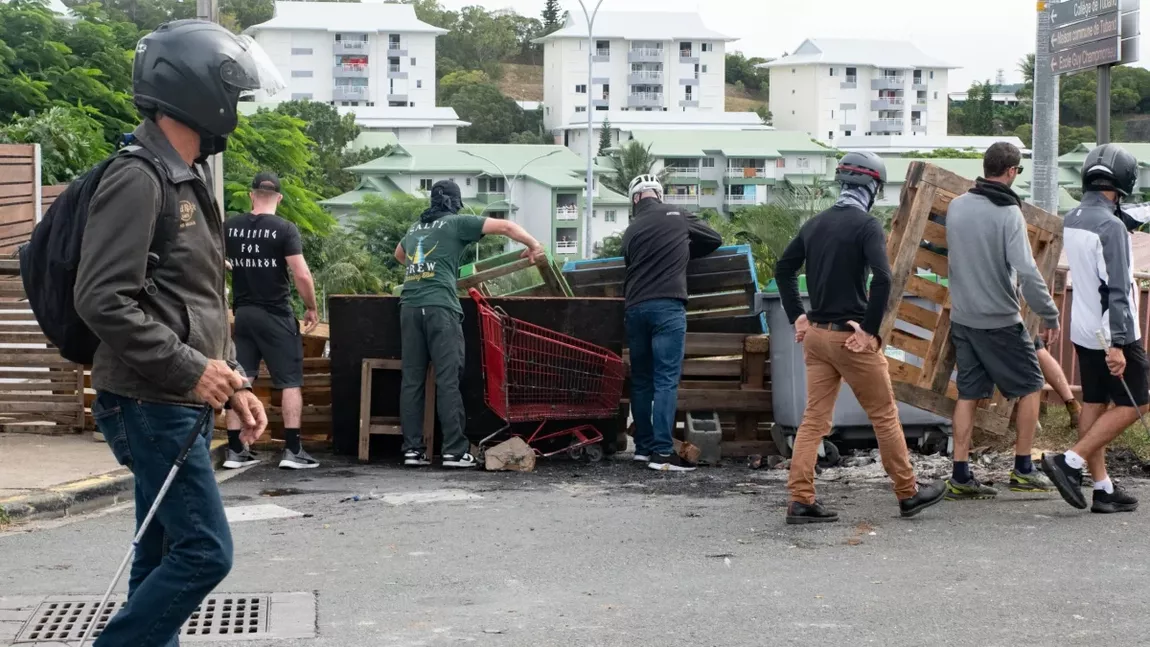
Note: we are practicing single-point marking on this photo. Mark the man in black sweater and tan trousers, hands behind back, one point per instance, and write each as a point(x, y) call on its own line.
point(839, 247)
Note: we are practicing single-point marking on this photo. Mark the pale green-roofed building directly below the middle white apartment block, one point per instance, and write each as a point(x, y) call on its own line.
point(726, 171)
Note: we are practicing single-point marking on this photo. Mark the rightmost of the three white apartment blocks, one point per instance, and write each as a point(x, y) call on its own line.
point(832, 88)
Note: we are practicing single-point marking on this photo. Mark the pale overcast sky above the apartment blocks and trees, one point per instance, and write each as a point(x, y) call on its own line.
point(982, 36)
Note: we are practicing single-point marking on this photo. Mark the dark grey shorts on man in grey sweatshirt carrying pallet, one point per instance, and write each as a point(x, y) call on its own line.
point(1000, 357)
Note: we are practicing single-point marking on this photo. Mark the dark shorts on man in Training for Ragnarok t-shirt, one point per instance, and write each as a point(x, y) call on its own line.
point(275, 340)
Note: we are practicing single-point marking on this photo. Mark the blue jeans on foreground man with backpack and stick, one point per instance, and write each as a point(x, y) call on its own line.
point(187, 550)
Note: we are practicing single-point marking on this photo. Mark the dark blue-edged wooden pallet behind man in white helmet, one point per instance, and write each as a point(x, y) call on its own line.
point(720, 289)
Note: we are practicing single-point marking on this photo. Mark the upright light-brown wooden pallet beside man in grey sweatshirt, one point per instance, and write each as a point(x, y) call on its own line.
point(918, 241)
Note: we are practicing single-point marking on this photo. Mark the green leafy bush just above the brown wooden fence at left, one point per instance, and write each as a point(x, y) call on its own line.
point(71, 142)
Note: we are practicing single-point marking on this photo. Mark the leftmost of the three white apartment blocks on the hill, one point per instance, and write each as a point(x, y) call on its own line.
point(352, 55)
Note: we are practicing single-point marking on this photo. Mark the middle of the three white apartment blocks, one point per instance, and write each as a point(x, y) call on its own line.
point(656, 63)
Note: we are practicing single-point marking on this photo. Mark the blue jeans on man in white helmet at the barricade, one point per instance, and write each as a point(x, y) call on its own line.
point(656, 336)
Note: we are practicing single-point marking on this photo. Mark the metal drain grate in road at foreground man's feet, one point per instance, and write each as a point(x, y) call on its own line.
point(220, 617)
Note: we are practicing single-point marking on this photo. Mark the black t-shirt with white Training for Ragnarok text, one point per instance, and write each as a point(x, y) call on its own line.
point(258, 247)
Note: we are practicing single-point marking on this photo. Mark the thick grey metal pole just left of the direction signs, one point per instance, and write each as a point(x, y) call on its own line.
point(1045, 144)
